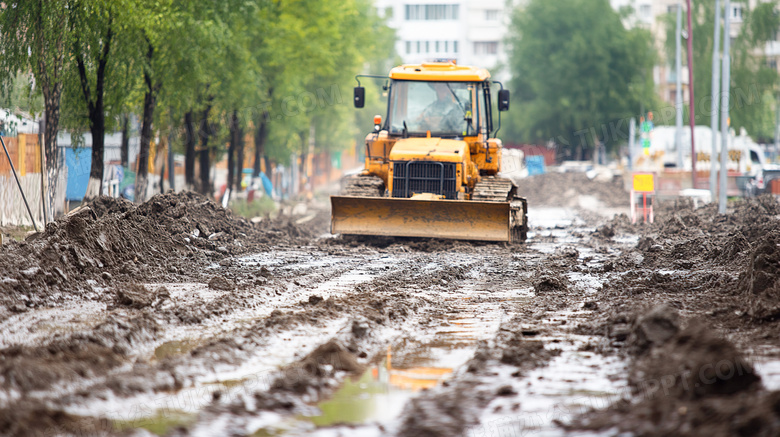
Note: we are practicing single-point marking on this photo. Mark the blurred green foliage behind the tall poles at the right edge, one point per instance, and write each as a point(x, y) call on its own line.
point(752, 80)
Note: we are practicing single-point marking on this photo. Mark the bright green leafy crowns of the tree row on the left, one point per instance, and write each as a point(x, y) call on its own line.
point(294, 60)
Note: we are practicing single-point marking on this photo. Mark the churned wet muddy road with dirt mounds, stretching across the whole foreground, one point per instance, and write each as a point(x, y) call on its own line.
point(177, 318)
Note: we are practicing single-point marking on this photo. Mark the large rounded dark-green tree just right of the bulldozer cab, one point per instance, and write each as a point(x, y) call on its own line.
point(576, 69)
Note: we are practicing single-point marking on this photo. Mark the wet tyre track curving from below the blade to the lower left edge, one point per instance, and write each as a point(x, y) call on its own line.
point(174, 373)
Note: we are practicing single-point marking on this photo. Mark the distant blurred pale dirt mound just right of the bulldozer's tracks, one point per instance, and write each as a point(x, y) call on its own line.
point(563, 189)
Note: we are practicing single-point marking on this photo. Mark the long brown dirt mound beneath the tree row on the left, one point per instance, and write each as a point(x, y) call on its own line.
point(111, 241)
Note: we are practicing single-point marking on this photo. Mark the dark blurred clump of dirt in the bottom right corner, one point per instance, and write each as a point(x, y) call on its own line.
point(688, 382)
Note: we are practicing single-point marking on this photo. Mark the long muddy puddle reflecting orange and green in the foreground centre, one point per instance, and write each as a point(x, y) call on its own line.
point(375, 399)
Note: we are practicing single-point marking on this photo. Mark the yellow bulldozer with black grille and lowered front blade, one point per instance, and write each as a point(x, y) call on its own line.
point(432, 163)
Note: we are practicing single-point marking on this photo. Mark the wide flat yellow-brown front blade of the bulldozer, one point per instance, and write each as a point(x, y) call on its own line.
point(397, 217)
